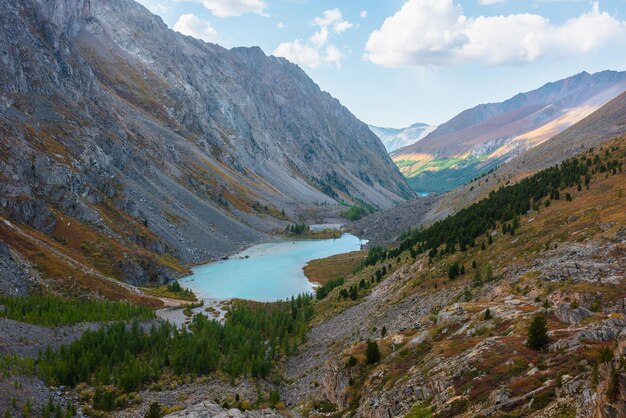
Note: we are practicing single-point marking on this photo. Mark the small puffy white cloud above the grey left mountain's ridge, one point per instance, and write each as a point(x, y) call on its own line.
point(317, 50)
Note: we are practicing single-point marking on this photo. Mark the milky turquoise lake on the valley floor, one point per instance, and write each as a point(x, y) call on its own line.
point(272, 271)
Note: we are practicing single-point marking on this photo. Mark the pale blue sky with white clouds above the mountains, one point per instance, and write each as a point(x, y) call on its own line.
point(397, 62)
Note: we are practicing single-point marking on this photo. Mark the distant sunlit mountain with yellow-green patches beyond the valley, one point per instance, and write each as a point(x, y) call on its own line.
point(487, 135)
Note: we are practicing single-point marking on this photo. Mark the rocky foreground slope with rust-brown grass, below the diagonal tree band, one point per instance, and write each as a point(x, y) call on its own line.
point(441, 356)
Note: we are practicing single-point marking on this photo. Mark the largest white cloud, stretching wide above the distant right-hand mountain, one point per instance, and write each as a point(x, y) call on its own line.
point(436, 32)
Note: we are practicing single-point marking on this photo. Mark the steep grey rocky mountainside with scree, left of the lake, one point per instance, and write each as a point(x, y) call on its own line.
point(161, 145)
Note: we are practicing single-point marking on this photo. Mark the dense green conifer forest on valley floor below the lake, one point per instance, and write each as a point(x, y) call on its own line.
point(129, 356)
